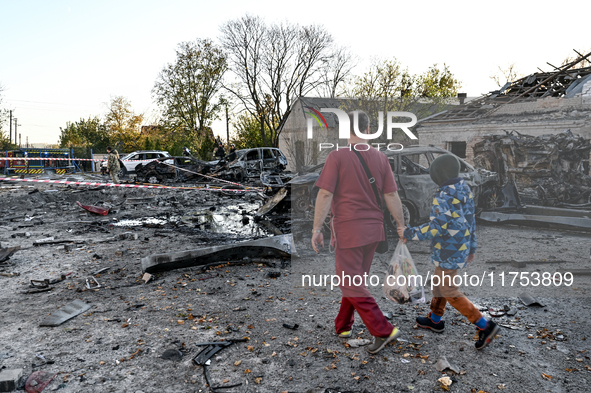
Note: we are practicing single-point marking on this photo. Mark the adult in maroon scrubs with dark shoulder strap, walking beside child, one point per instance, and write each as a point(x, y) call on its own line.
point(357, 227)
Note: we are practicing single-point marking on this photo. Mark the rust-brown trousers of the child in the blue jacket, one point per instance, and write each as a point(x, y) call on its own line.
point(447, 292)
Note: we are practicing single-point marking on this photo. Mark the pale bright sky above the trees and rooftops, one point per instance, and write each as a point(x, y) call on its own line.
point(61, 61)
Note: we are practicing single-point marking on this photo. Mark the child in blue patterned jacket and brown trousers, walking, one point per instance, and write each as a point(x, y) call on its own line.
point(453, 245)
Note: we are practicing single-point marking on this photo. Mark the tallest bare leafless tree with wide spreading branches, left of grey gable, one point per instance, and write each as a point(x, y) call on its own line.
point(275, 64)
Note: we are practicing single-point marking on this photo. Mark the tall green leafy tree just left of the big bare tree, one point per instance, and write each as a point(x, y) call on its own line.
point(187, 93)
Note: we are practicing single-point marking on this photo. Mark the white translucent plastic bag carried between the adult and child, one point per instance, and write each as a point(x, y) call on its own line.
point(403, 284)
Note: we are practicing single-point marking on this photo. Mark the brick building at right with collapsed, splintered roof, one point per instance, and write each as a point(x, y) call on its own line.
point(539, 104)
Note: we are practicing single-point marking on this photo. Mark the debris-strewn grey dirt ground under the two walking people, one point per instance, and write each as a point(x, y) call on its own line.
point(117, 345)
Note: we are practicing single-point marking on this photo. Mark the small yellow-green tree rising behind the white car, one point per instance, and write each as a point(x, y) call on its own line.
point(123, 124)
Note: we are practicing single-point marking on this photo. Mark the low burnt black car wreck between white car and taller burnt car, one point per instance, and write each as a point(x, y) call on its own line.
point(175, 169)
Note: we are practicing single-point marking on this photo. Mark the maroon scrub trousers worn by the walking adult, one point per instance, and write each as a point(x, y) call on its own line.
point(351, 262)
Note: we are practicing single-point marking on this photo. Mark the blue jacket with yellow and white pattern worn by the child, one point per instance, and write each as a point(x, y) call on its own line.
point(452, 226)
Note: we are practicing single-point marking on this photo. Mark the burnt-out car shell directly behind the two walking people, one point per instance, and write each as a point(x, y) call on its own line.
point(415, 187)
